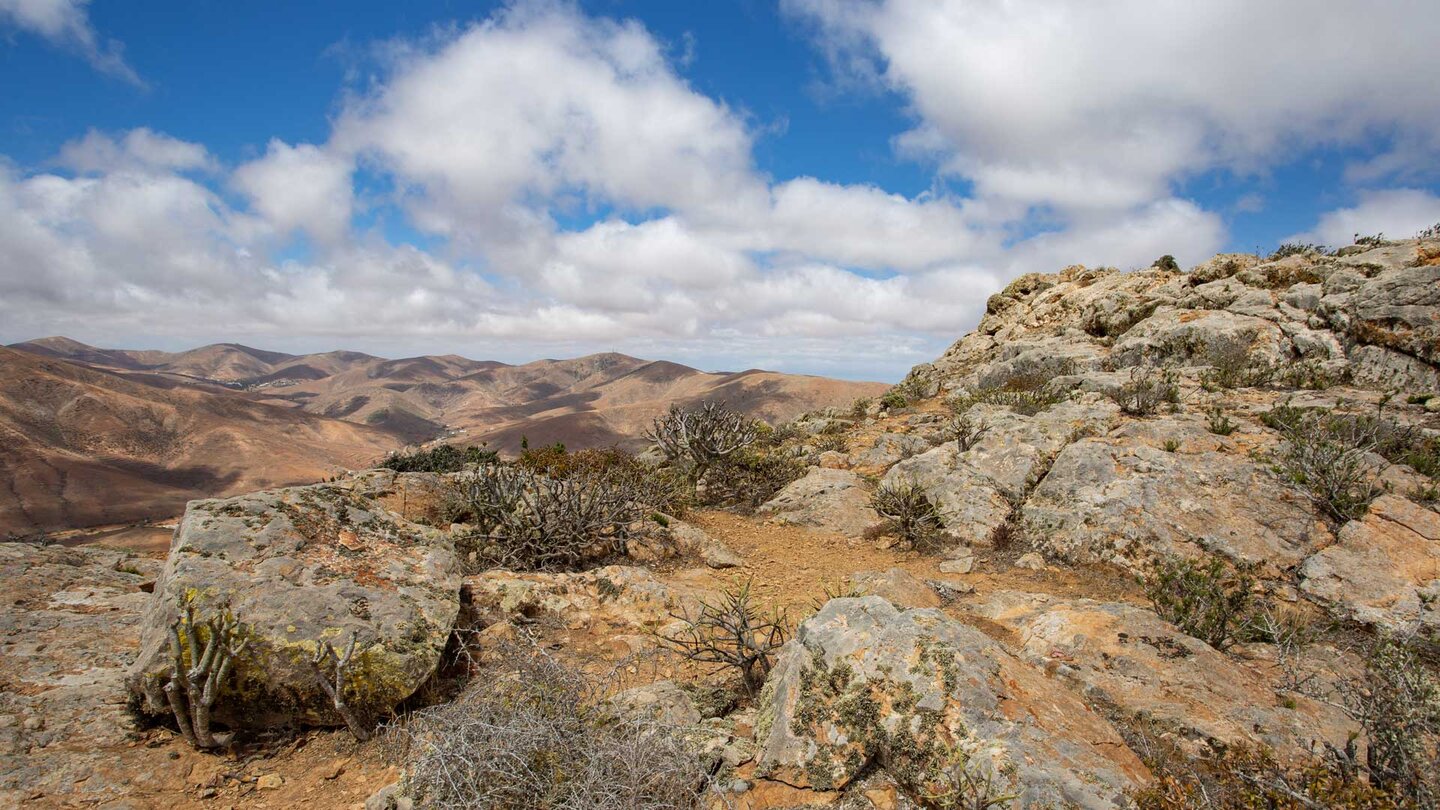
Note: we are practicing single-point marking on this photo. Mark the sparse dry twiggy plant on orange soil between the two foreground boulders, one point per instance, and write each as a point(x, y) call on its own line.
point(731, 633)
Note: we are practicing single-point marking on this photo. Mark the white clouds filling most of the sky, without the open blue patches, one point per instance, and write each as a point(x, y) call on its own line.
point(545, 181)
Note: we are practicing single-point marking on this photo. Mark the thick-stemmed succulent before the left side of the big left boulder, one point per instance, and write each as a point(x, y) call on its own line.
point(201, 661)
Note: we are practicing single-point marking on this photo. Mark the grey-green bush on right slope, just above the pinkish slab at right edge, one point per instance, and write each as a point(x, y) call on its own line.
point(1330, 456)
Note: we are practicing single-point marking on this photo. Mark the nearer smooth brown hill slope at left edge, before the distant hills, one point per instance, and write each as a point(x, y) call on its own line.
point(83, 446)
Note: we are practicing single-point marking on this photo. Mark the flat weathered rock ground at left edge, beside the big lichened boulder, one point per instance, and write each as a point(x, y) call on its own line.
point(70, 620)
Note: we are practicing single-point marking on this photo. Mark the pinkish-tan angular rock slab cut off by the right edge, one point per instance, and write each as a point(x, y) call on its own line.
point(1385, 570)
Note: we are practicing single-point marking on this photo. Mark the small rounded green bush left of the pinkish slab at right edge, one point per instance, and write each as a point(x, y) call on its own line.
point(1212, 600)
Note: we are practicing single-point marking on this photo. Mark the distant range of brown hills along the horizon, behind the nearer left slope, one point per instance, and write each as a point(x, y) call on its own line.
point(593, 401)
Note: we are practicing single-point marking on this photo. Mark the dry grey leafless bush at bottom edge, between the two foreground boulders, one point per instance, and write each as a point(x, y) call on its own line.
point(538, 736)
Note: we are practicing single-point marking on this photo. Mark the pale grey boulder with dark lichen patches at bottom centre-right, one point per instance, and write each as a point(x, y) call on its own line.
point(937, 704)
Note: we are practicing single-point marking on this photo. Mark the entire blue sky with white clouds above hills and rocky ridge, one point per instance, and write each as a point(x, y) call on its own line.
point(829, 187)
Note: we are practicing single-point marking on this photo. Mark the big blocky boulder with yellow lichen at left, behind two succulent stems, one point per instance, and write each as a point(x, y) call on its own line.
point(294, 569)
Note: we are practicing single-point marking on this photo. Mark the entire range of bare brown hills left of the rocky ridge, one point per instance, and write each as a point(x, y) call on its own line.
point(109, 436)
